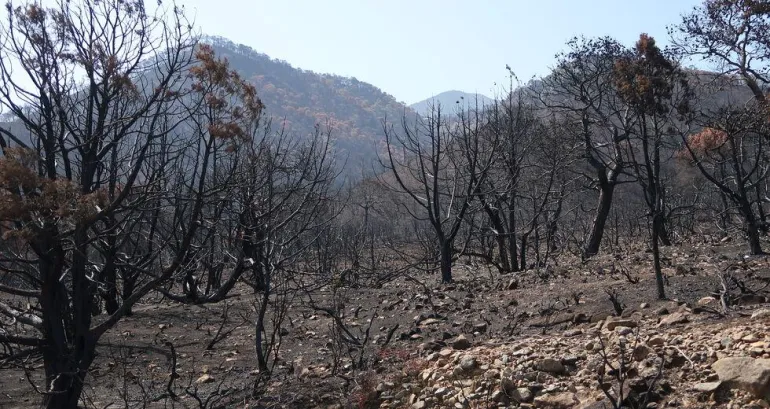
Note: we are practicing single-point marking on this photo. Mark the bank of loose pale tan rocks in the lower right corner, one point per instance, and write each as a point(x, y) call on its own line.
point(664, 358)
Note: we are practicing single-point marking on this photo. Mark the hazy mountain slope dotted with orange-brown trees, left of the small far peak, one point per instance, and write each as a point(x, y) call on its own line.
point(303, 98)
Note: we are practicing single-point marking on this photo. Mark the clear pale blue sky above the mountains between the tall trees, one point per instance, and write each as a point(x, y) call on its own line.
point(418, 48)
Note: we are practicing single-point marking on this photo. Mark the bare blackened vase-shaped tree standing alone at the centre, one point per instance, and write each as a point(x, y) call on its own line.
point(439, 164)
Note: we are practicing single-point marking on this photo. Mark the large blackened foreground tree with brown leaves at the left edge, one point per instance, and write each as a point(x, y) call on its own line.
point(100, 108)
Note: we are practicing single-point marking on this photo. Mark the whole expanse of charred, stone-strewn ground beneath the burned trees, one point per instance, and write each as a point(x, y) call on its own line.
point(574, 335)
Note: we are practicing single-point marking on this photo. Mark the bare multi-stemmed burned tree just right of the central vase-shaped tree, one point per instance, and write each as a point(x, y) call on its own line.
point(524, 182)
